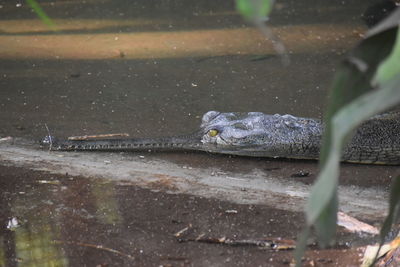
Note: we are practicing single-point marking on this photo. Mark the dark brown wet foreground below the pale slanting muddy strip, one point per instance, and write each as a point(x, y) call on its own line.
point(77, 221)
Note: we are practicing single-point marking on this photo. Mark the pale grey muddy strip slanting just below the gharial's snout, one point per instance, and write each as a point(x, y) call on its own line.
point(255, 186)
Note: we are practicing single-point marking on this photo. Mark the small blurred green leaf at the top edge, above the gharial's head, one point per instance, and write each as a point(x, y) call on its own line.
point(254, 10)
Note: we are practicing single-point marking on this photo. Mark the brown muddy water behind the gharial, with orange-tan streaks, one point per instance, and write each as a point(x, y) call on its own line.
point(154, 69)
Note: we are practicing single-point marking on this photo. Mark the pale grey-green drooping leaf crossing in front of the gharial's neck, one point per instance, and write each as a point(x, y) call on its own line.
point(343, 123)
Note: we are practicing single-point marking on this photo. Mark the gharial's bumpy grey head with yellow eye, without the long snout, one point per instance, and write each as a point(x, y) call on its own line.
point(255, 133)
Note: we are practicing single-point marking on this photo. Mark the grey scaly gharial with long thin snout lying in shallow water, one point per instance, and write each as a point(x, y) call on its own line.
point(377, 141)
